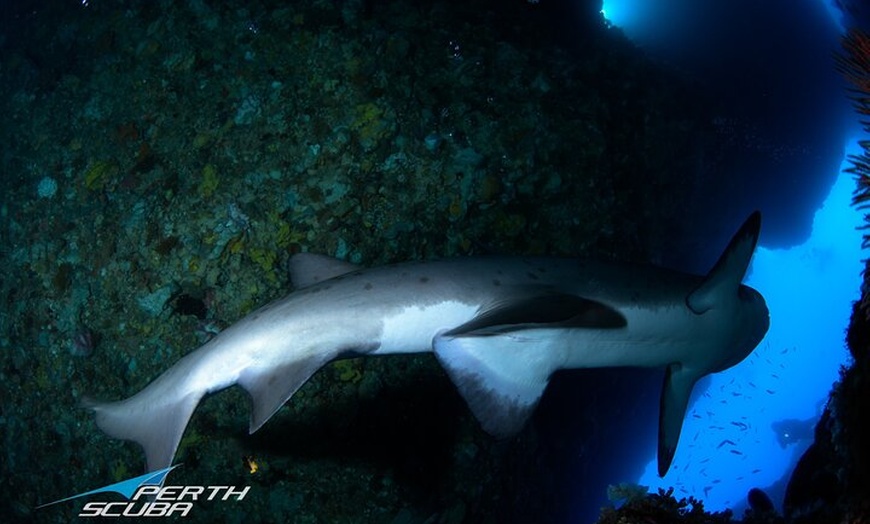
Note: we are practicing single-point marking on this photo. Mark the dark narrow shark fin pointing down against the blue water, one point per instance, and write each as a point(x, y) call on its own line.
point(676, 391)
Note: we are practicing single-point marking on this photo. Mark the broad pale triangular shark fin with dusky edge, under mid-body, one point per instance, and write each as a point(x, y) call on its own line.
point(501, 377)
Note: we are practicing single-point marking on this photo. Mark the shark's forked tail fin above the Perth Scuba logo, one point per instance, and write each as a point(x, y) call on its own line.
point(156, 424)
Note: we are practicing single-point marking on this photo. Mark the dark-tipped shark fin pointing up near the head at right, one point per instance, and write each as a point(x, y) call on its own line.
point(729, 270)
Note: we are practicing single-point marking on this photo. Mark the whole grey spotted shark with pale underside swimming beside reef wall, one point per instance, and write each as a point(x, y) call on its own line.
point(500, 326)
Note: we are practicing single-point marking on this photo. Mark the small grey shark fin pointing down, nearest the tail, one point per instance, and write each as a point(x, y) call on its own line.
point(271, 387)
